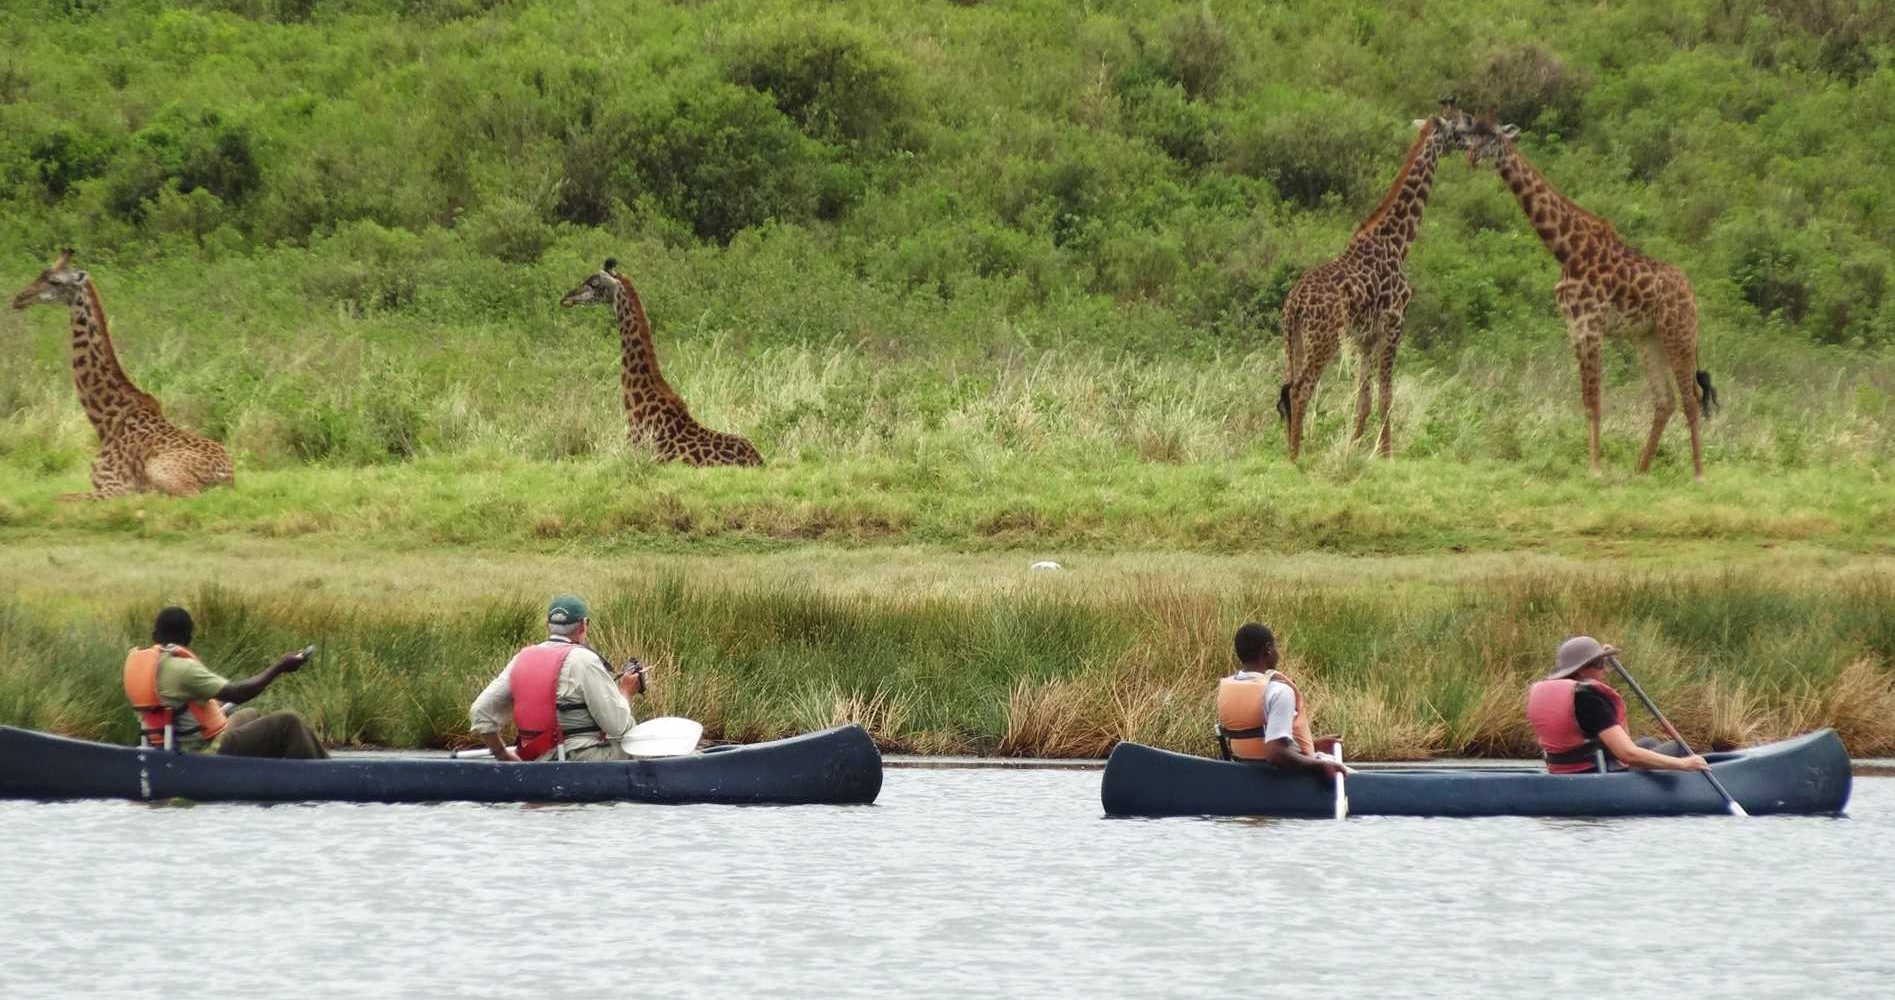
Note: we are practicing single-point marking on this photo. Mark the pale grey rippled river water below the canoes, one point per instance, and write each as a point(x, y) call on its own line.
point(958, 884)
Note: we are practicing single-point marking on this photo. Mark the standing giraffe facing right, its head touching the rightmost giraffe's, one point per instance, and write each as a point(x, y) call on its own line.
point(1362, 295)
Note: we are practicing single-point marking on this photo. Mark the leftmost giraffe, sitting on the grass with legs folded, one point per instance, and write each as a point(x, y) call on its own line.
point(139, 450)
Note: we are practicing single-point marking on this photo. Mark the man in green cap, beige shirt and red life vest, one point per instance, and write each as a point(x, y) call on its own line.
point(560, 696)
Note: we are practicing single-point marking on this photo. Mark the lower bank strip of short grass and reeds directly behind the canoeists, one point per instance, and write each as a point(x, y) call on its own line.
point(977, 656)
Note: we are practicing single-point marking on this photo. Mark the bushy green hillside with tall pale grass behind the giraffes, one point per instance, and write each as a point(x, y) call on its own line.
point(336, 232)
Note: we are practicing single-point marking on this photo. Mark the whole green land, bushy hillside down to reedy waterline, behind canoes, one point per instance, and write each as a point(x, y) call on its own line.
point(984, 283)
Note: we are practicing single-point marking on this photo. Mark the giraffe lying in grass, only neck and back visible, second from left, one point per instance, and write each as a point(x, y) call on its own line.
point(653, 408)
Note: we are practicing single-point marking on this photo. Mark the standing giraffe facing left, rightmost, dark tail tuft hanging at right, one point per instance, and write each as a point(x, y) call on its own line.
point(1610, 291)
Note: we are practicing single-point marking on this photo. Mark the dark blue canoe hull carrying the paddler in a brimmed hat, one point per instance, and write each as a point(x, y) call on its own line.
point(1799, 776)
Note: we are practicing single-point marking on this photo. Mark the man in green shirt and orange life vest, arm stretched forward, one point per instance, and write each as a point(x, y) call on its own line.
point(170, 675)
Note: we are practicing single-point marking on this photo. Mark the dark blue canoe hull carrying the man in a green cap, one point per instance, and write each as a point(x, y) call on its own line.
point(833, 768)
